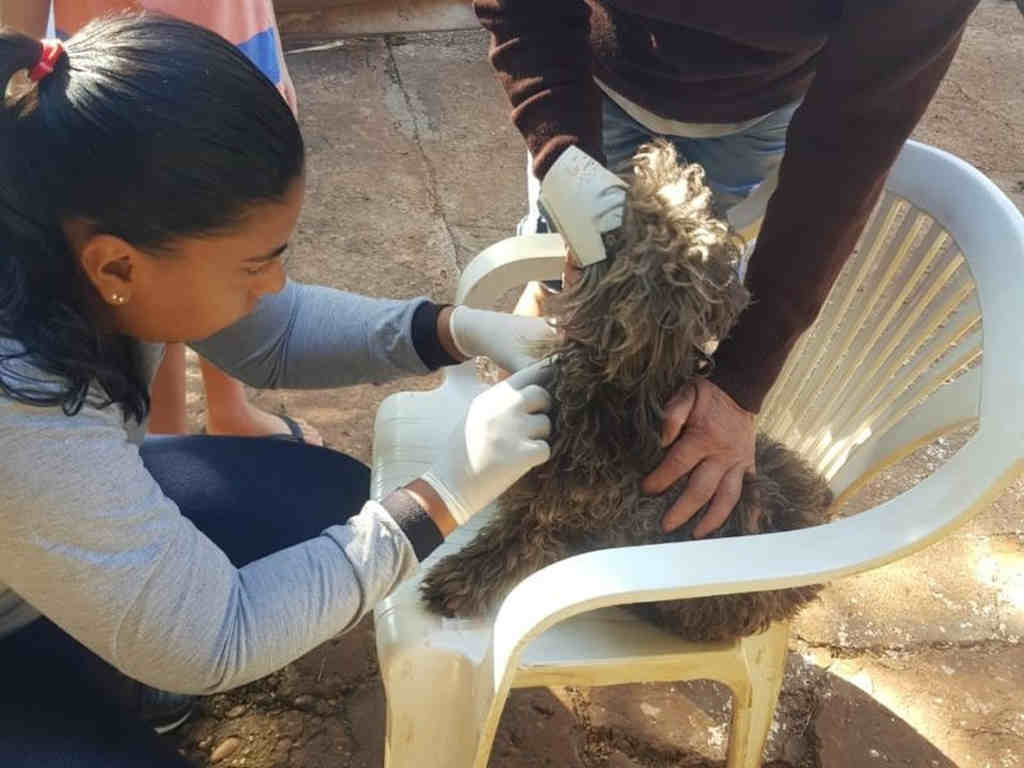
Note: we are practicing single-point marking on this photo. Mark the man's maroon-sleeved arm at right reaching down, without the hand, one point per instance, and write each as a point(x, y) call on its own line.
point(840, 148)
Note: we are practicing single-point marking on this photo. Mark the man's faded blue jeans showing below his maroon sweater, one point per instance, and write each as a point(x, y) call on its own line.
point(735, 164)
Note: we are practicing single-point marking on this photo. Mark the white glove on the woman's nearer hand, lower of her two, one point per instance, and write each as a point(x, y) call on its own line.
point(502, 438)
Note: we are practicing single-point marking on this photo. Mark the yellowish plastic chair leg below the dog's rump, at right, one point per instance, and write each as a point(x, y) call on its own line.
point(755, 699)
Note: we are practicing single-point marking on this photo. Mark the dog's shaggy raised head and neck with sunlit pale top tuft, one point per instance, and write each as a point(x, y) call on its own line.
point(637, 326)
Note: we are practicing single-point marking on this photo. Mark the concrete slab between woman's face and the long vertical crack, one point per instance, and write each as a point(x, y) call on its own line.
point(370, 222)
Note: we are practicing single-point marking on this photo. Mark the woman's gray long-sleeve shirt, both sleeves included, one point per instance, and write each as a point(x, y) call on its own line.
point(89, 539)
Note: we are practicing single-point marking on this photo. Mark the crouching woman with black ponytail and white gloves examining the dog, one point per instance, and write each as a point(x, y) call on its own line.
point(151, 178)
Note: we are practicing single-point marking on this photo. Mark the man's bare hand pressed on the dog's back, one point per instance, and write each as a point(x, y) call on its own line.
point(715, 445)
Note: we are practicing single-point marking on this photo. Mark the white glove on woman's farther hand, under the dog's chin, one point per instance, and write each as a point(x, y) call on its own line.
point(502, 337)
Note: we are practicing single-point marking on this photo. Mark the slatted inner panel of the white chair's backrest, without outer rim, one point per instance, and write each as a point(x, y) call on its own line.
point(902, 322)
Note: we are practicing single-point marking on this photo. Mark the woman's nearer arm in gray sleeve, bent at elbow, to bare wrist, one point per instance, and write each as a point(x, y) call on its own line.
point(91, 541)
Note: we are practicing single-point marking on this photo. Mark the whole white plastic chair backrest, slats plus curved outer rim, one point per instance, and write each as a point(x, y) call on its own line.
point(895, 358)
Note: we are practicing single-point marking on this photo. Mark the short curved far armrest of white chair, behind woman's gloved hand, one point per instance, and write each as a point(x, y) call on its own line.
point(507, 265)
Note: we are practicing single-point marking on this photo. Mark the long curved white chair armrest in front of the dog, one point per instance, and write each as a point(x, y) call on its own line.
point(667, 572)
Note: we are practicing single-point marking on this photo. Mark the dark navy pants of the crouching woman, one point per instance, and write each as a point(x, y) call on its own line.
point(63, 706)
